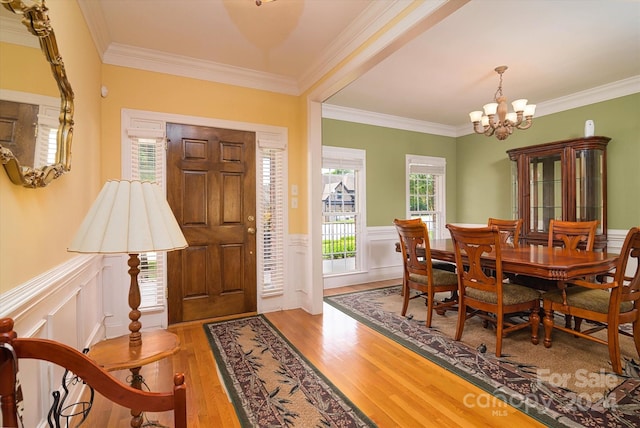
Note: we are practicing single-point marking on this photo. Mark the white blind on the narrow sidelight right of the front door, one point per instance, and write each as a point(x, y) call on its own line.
point(272, 211)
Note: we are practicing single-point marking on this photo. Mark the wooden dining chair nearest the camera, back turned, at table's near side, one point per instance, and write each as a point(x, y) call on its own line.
point(488, 294)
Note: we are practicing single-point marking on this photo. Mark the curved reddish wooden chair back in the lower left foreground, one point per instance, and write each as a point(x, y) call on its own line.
point(12, 349)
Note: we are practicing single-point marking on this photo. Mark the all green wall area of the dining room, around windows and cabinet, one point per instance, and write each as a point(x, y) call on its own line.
point(478, 169)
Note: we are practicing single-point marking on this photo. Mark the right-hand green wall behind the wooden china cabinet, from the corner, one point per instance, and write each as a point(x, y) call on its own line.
point(484, 179)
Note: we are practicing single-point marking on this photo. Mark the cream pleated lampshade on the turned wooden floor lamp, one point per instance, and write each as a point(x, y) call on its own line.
point(129, 217)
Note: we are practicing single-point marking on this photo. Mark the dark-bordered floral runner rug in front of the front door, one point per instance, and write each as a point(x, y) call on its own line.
point(270, 382)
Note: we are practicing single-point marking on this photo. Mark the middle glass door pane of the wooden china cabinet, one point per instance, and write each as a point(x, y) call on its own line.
point(545, 187)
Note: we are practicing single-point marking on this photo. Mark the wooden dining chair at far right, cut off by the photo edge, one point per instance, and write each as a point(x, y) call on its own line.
point(607, 304)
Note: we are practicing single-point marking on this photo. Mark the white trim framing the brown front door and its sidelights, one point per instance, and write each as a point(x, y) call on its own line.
point(156, 121)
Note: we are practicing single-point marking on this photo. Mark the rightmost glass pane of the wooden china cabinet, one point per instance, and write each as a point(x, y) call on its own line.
point(590, 186)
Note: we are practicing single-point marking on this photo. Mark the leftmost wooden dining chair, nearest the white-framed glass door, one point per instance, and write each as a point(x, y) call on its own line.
point(419, 274)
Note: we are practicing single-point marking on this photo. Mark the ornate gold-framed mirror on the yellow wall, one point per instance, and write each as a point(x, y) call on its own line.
point(19, 156)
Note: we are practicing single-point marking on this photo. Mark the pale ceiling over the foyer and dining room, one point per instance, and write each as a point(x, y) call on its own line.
point(433, 63)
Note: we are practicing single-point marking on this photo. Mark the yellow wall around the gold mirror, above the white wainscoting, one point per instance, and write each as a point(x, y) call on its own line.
point(36, 225)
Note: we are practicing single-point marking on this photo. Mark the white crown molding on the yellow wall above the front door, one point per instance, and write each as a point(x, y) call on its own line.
point(151, 60)
